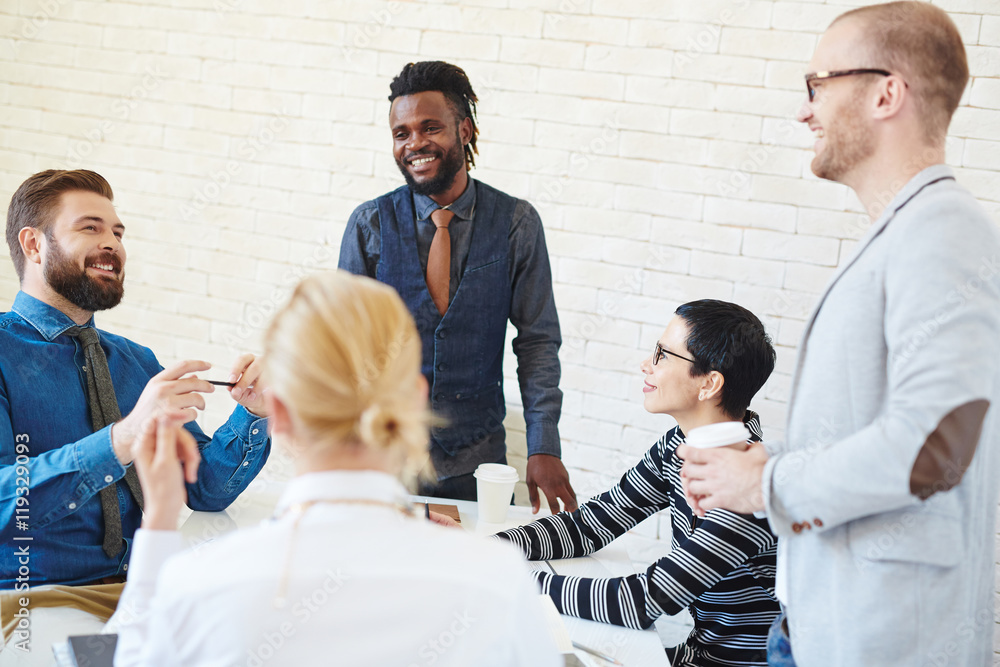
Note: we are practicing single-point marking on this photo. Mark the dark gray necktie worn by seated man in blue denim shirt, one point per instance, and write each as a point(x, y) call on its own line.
point(103, 411)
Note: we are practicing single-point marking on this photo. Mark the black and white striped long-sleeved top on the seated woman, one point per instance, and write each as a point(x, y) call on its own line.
point(720, 567)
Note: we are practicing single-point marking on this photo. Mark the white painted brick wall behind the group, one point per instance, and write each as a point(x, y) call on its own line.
point(654, 137)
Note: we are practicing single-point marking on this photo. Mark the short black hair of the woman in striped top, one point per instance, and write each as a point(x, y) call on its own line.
point(728, 338)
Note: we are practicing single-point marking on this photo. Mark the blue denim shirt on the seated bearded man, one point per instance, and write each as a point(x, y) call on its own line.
point(44, 416)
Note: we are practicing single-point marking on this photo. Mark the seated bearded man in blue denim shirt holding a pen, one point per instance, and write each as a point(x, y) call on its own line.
point(66, 241)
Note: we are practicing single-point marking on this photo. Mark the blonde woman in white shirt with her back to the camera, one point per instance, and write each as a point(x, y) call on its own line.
point(344, 574)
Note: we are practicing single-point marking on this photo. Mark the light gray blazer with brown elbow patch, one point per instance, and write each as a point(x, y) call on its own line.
point(886, 490)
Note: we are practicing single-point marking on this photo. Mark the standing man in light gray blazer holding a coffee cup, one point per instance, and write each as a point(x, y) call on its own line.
point(885, 493)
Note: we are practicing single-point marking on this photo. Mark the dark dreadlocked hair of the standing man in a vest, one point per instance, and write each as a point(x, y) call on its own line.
point(449, 80)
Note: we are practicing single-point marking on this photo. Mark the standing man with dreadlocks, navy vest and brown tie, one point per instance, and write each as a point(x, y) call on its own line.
point(466, 258)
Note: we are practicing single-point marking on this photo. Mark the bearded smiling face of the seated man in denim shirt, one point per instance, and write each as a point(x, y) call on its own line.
point(83, 258)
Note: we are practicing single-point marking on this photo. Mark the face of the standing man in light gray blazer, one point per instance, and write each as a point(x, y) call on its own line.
point(844, 137)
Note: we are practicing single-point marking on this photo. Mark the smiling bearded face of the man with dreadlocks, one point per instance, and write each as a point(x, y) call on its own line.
point(429, 144)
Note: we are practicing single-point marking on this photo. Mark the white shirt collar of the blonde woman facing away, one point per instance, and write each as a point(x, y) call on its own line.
point(343, 484)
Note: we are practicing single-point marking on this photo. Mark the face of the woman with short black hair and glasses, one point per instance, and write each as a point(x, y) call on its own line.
point(669, 386)
